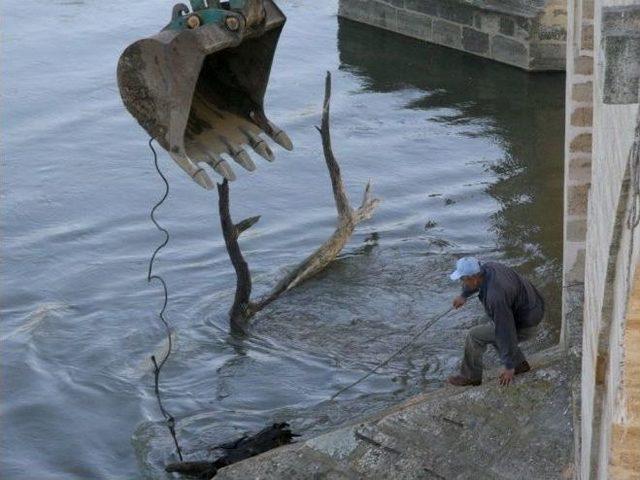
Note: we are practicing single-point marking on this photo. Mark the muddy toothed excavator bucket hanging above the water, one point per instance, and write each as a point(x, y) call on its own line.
point(198, 85)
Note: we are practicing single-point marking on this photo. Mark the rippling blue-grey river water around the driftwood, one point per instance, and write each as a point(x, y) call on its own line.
point(465, 154)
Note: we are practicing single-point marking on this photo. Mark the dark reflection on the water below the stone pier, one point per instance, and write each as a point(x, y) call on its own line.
point(521, 112)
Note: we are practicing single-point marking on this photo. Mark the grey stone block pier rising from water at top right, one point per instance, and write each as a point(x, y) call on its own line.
point(530, 34)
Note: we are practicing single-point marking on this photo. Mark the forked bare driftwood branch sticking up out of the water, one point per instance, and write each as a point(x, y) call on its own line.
point(348, 218)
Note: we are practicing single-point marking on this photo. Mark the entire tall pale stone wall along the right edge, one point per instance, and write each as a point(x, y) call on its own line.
point(600, 248)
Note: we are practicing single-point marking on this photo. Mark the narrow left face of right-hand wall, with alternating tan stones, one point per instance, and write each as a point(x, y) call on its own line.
point(577, 181)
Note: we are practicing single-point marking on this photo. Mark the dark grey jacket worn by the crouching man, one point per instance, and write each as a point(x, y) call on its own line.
point(512, 302)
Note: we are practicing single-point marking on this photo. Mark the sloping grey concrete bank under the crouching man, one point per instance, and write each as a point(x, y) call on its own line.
point(486, 432)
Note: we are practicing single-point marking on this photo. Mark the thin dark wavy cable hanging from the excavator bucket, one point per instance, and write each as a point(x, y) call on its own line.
point(171, 423)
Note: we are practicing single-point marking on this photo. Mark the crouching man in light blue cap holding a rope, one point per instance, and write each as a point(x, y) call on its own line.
point(516, 309)
